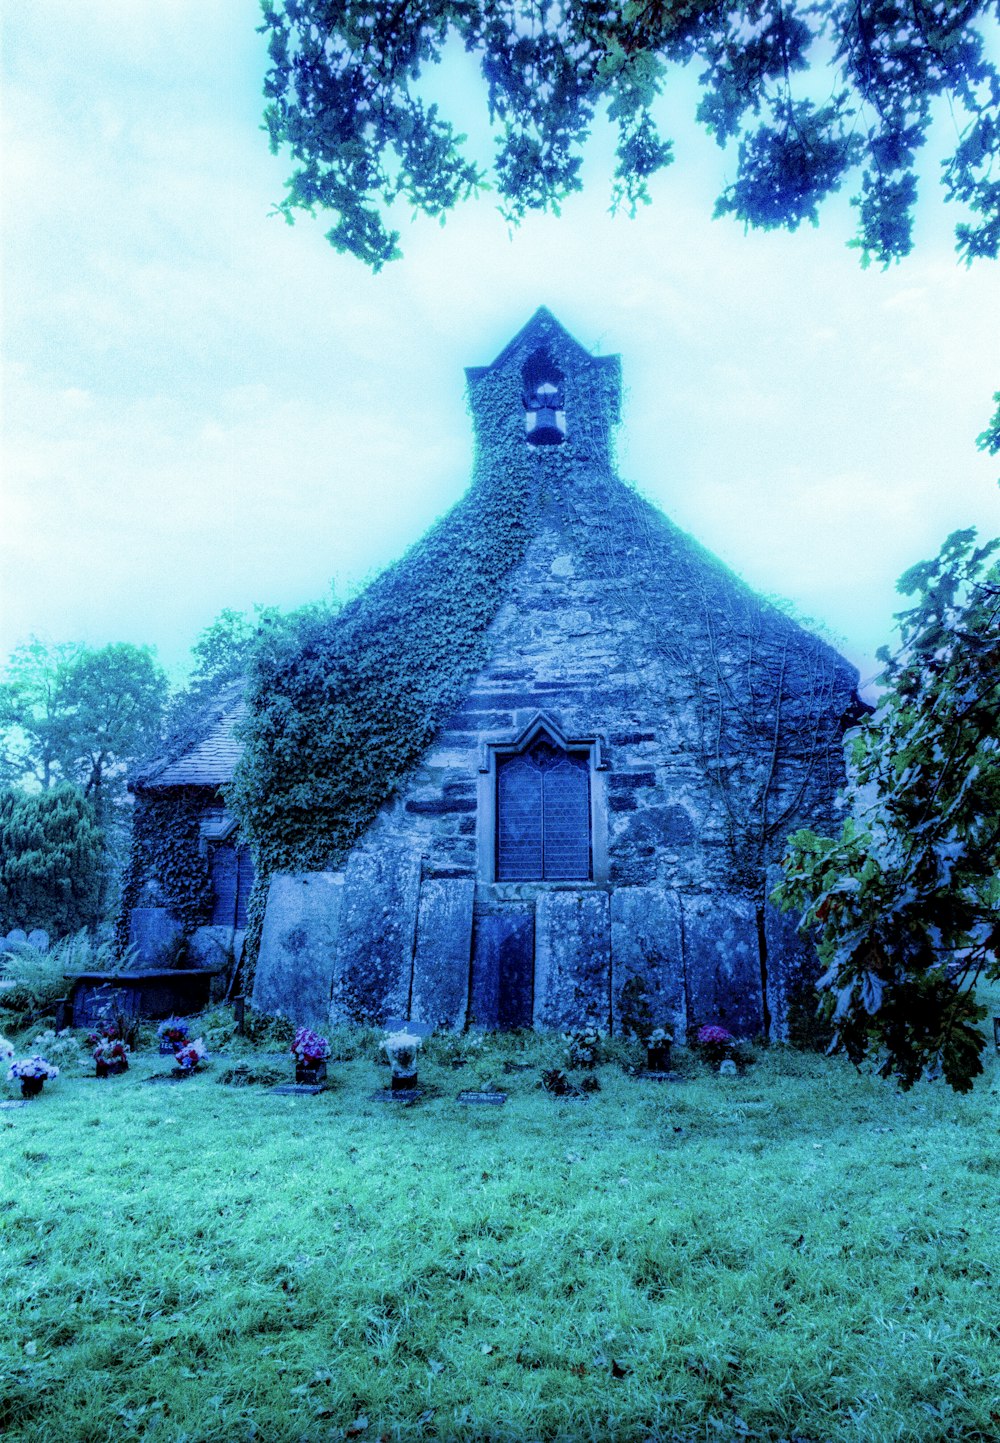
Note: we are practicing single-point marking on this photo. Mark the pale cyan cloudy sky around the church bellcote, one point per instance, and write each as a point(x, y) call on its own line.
point(209, 409)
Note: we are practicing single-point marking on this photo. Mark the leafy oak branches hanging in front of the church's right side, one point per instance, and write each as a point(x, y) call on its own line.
point(907, 901)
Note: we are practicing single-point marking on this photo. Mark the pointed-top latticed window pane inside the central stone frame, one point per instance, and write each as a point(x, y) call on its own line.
point(543, 816)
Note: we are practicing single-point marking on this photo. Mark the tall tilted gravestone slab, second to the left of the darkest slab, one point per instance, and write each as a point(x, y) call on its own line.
point(373, 966)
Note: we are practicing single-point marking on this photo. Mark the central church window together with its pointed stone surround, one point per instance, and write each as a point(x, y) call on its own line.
point(543, 803)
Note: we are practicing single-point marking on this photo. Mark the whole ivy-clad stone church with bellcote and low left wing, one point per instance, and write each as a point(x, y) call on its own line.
point(587, 829)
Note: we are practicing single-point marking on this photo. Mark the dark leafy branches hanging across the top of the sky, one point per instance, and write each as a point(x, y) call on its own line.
point(810, 92)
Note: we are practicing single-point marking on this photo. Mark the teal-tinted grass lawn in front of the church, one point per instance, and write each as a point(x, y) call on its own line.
point(799, 1253)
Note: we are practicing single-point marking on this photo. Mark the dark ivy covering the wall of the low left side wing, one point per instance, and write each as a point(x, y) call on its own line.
point(167, 849)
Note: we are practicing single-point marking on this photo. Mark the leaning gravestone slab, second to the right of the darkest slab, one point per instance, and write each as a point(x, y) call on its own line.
point(647, 960)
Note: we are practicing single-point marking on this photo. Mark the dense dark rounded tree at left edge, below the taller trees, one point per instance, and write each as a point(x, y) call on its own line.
point(51, 861)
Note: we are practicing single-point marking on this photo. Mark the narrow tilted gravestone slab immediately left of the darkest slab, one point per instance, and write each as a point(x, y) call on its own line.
point(441, 962)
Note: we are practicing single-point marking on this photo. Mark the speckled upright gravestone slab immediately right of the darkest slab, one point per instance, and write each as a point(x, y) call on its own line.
point(574, 960)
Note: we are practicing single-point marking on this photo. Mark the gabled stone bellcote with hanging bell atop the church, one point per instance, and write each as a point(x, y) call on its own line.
point(545, 395)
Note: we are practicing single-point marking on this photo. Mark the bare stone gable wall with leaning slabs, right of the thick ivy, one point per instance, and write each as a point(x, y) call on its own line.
point(696, 793)
